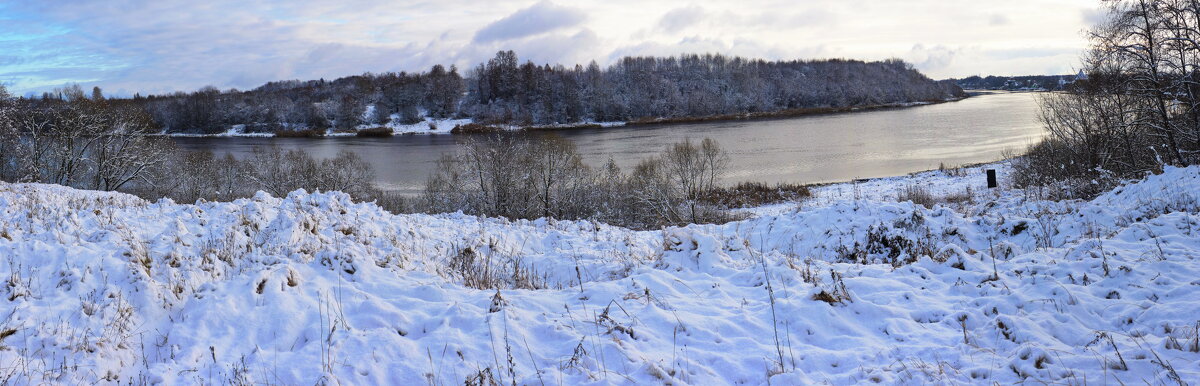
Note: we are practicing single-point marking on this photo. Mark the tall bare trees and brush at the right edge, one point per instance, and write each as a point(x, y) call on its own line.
point(1139, 108)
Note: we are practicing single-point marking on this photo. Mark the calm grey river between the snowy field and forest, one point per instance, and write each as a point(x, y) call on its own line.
point(809, 149)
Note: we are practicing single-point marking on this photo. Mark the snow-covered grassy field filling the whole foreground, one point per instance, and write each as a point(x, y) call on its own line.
point(850, 288)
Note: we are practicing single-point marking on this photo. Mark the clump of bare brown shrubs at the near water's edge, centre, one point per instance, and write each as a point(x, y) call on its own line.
point(518, 178)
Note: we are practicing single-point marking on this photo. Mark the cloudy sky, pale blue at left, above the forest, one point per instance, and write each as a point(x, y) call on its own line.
point(163, 46)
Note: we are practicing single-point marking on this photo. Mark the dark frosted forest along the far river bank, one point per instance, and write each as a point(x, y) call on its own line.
point(506, 92)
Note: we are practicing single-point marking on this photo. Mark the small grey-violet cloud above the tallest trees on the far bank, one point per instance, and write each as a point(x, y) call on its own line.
point(538, 19)
